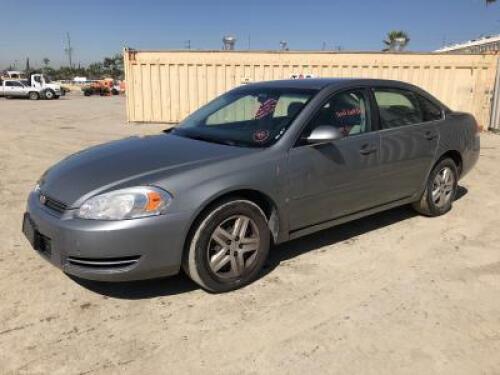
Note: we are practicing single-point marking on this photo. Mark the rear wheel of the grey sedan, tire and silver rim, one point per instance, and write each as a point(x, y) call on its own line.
point(440, 189)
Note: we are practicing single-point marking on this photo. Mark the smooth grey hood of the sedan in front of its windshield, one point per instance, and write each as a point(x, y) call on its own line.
point(128, 161)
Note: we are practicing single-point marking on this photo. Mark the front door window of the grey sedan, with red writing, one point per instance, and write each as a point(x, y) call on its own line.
point(347, 111)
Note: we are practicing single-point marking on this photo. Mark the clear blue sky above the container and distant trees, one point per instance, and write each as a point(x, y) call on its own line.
point(101, 28)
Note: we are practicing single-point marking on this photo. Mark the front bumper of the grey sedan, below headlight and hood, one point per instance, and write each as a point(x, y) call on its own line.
point(107, 250)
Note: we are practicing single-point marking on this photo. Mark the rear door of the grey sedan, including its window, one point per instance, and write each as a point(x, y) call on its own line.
point(409, 140)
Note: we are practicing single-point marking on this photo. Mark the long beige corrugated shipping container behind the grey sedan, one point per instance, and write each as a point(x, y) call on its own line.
point(167, 86)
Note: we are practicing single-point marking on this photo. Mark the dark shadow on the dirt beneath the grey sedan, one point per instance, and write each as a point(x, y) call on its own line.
point(180, 283)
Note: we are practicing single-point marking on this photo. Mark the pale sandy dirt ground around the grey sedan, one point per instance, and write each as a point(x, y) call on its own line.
point(392, 293)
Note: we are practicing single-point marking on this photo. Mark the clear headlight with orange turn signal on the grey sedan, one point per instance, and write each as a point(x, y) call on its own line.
point(127, 203)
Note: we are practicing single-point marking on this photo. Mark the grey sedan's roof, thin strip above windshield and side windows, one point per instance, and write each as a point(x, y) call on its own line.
point(321, 83)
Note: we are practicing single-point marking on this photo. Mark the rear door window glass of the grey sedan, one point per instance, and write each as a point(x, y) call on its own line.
point(398, 108)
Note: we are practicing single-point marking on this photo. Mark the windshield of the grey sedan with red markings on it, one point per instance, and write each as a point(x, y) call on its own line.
point(247, 118)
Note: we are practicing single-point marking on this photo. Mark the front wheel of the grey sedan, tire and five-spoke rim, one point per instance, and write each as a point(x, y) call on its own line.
point(221, 263)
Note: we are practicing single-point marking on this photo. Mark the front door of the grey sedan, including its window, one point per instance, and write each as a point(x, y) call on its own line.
point(328, 181)
